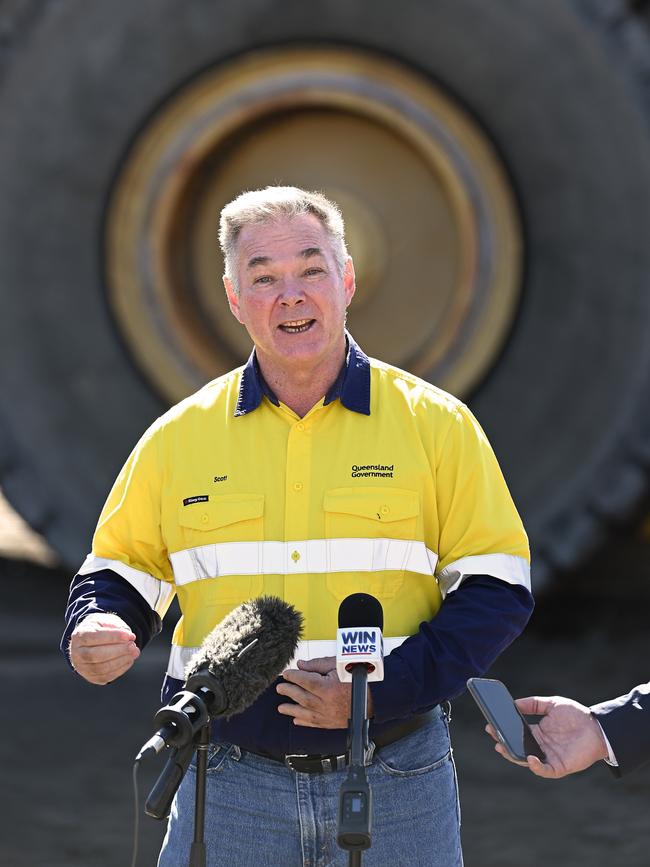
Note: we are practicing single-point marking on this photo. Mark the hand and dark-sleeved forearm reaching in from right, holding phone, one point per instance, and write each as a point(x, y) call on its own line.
point(574, 737)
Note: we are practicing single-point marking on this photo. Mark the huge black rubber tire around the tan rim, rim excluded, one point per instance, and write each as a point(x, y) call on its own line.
point(565, 405)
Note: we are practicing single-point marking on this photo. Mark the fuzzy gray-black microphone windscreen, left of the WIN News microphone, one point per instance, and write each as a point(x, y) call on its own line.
point(245, 653)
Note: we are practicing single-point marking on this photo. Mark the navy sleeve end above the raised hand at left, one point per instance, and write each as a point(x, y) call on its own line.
point(106, 592)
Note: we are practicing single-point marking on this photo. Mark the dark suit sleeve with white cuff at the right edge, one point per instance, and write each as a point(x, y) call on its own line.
point(626, 723)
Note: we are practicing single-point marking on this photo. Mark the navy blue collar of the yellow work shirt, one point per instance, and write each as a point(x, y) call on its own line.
point(351, 386)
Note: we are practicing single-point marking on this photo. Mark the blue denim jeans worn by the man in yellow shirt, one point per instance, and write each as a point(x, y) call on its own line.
point(258, 812)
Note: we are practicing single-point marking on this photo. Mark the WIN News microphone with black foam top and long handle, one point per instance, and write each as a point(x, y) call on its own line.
point(359, 658)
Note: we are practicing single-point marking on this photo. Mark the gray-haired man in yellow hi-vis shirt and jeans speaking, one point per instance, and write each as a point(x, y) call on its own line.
point(311, 473)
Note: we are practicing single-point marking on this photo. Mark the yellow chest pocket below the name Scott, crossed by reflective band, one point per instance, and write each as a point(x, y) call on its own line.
point(205, 527)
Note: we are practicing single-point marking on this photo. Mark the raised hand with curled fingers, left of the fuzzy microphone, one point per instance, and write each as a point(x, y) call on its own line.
point(102, 647)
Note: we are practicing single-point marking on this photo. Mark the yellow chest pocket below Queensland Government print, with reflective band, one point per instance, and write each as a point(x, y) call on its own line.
point(369, 529)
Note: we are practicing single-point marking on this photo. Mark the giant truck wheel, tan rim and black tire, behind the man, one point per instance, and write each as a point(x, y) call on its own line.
point(492, 160)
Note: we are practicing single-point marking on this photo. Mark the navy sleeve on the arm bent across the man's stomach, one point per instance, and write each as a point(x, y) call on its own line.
point(474, 625)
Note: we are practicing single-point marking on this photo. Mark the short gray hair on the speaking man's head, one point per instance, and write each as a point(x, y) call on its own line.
point(273, 203)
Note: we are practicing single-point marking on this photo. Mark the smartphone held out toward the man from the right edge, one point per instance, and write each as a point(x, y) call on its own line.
point(500, 710)
